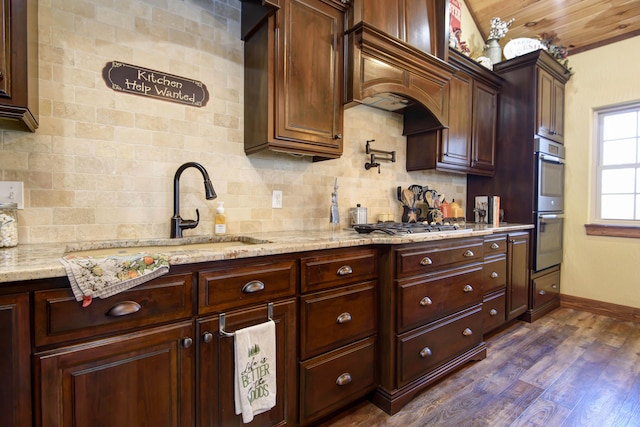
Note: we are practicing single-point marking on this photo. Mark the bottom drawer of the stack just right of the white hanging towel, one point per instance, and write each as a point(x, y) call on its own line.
point(333, 380)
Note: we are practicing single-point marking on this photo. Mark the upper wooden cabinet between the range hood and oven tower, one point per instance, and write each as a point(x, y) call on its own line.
point(467, 145)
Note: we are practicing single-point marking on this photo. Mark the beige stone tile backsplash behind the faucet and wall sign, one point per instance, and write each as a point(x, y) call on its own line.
point(101, 164)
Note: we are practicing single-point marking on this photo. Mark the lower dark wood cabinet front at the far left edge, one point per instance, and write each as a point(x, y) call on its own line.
point(15, 361)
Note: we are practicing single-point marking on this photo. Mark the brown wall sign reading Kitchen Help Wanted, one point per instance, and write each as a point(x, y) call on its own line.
point(129, 78)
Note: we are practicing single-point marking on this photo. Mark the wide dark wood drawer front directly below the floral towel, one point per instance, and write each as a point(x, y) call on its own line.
point(59, 317)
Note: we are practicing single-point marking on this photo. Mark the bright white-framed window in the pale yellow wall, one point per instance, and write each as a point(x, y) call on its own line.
point(618, 166)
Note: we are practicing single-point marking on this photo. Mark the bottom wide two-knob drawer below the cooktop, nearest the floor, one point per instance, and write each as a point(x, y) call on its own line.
point(425, 348)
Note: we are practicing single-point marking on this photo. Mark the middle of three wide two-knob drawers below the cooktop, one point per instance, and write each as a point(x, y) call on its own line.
point(421, 301)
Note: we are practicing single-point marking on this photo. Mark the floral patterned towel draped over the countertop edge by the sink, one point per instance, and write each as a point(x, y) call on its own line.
point(103, 277)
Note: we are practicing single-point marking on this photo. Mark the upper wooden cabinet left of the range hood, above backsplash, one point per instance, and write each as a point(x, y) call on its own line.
point(294, 78)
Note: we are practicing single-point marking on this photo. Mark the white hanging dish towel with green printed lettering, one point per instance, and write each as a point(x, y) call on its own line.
point(255, 370)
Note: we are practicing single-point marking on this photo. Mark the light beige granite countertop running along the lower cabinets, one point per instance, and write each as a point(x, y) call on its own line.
point(42, 261)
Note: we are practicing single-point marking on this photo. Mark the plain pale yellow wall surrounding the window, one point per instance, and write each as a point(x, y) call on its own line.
point(600, 268)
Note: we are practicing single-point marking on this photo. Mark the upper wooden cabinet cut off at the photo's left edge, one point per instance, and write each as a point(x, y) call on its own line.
point(19, 65)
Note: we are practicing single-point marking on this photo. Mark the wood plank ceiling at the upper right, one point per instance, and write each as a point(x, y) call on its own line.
point(579, 24)
